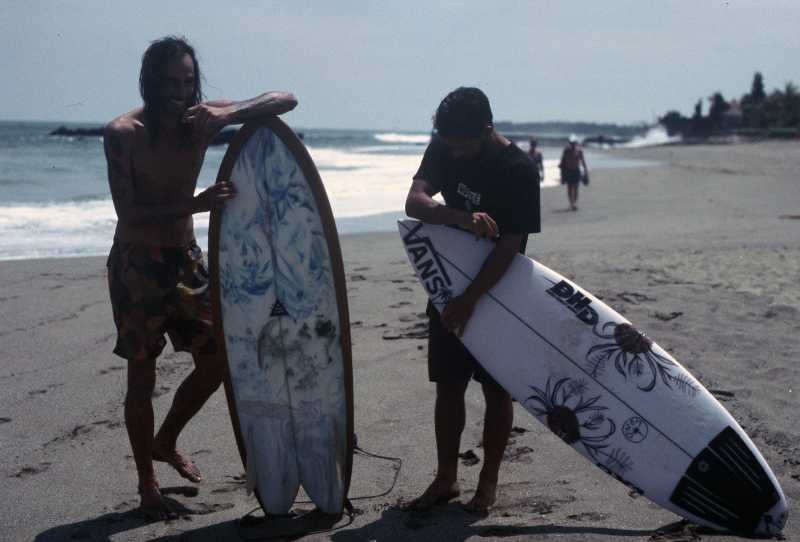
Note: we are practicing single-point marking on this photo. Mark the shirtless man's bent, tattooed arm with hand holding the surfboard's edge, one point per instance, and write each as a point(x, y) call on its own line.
point(118, 145)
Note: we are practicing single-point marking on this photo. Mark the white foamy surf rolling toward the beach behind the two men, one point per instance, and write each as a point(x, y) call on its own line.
point(358, 183)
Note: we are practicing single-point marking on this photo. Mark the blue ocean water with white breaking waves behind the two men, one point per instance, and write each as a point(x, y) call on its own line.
point(55, 200)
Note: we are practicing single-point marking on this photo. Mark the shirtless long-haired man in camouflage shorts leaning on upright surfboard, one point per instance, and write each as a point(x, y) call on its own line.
point(157, 280)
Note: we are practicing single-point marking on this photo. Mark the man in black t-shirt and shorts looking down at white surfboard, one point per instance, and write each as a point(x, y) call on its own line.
point(489, 188)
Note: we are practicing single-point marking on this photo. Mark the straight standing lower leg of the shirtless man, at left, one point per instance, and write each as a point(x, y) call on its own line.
point(139, 422)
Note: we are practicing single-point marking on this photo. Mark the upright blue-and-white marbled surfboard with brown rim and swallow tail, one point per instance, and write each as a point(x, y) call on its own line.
point(282, 321)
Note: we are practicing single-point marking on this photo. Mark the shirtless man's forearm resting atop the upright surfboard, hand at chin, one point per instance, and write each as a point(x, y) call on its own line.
point(210, 117)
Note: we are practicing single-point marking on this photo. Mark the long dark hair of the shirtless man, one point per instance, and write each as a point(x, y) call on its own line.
point(151, 79)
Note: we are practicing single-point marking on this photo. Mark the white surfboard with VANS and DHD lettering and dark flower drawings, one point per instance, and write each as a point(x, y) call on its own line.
point(603, 387)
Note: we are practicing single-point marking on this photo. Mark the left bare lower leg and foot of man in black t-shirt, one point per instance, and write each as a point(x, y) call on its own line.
point(449, 419)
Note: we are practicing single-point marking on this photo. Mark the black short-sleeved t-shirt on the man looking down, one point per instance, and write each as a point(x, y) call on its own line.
point(505, 185)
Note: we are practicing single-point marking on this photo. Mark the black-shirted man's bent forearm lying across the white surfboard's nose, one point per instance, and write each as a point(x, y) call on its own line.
point(421, 205)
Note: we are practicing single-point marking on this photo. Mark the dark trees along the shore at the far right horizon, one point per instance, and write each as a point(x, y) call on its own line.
point(756, 113)
